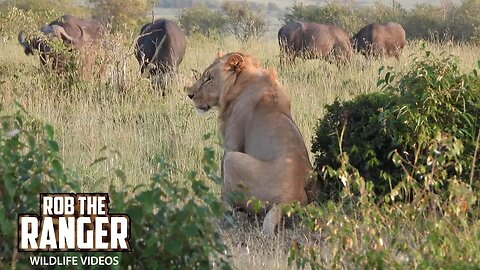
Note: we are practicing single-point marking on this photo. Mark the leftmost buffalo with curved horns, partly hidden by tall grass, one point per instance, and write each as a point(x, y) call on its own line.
point(74, 32)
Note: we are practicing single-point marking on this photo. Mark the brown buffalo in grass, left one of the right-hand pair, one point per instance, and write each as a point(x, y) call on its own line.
point(313, 40)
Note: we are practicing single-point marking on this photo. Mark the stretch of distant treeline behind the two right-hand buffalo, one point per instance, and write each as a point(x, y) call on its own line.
point(449, 21)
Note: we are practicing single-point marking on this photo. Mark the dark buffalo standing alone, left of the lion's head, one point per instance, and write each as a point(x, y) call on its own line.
point(161, 44)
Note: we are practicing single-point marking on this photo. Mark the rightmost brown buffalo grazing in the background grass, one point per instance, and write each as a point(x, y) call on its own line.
point(380, 40)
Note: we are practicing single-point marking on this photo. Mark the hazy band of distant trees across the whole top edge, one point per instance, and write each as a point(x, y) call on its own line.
point(446, 21)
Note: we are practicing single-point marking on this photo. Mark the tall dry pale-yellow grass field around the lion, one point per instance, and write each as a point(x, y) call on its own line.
point(137, 124)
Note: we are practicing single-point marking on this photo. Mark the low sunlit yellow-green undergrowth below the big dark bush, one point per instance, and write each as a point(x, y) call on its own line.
point(359, 233)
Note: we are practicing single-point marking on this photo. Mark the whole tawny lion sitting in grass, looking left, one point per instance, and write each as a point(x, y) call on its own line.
point(265, 156)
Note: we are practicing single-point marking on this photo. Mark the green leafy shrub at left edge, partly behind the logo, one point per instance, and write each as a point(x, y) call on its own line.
point(29, 165)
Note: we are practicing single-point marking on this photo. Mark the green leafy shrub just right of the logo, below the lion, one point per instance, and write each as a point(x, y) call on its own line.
point(173, 226)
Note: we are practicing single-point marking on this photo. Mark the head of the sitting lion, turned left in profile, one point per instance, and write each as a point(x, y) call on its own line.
point(209, 90)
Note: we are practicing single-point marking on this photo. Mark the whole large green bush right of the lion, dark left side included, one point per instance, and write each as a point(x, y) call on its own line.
point(420, 133)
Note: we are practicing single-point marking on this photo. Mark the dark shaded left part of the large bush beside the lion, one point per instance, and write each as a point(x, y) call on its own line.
point(355, 127)
